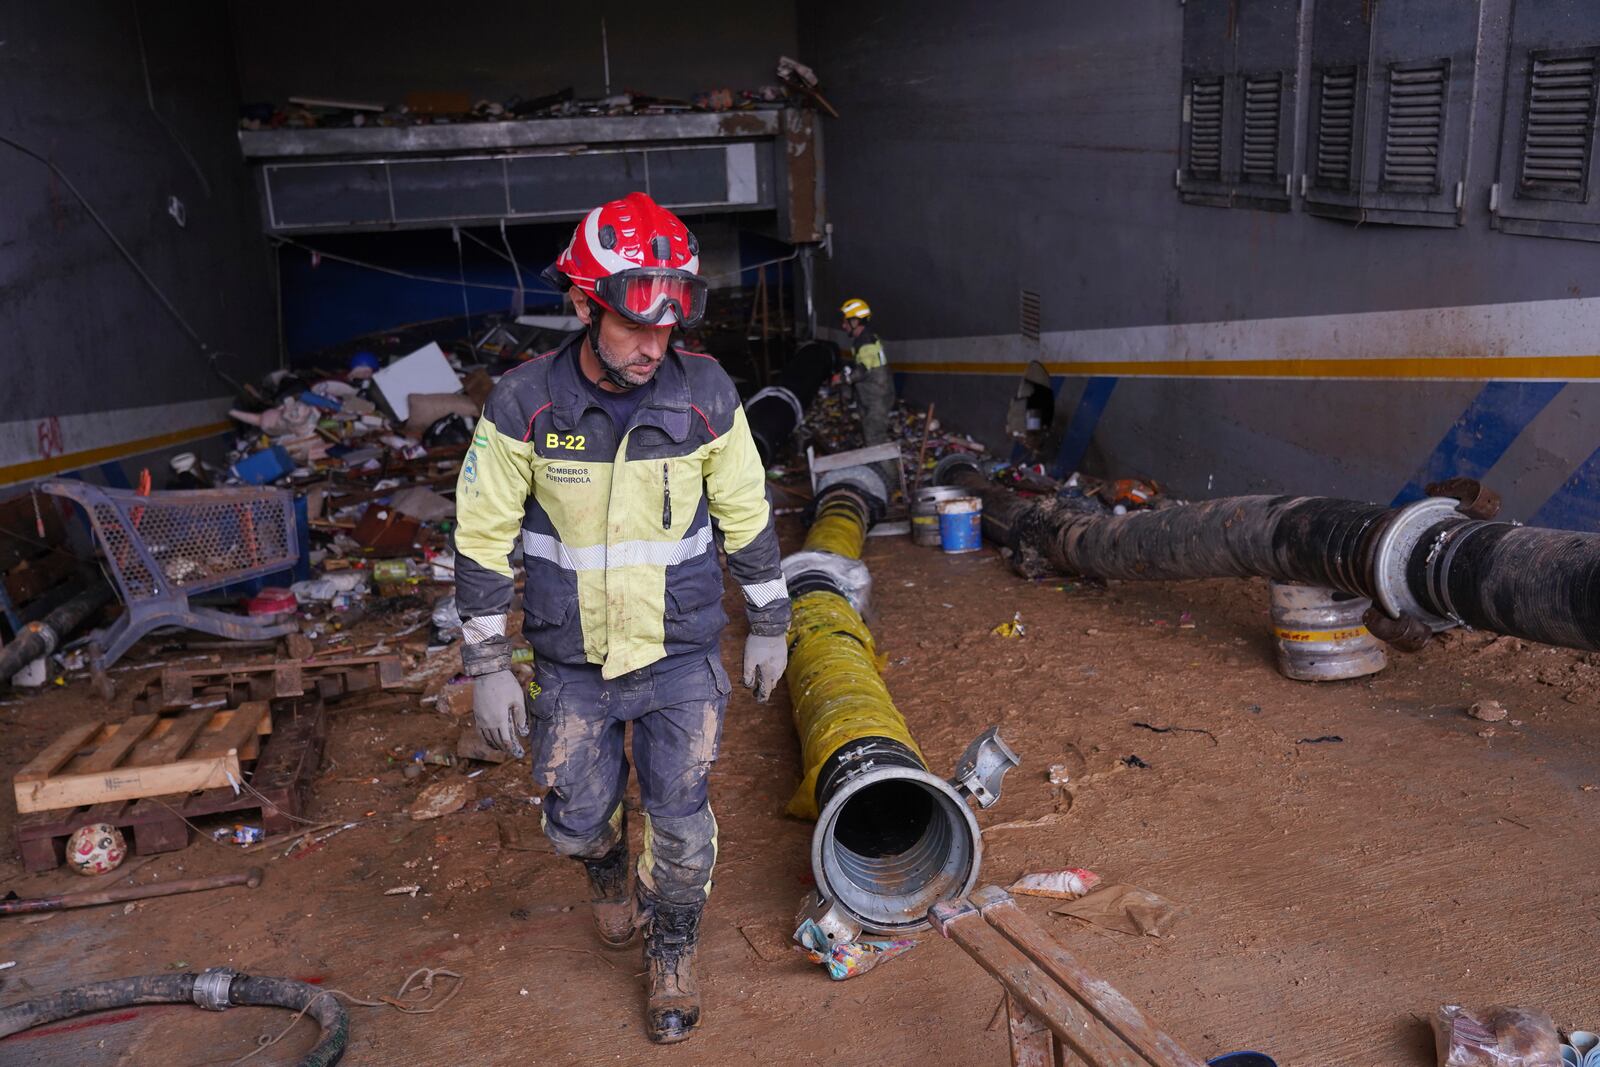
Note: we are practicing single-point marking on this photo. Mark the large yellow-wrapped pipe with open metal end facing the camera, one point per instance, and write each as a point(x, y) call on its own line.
point(892, 837)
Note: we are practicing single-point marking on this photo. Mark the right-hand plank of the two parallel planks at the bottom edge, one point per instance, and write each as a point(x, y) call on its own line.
point(1121, 1015)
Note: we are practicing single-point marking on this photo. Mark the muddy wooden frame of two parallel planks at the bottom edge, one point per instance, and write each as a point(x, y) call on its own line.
point(1058, 1012)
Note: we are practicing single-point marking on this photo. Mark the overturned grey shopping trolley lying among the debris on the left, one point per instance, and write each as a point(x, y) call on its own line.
point(170, 546)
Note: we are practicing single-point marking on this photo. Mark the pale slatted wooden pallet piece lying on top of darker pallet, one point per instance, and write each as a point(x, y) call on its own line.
point(146, 756)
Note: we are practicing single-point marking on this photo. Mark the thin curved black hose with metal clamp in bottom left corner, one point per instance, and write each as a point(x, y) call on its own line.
point(215, 991)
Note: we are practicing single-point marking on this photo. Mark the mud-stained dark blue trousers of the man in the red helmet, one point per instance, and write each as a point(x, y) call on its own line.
point(578, 725)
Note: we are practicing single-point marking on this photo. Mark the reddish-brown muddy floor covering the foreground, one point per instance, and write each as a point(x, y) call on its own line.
point(1350, 857)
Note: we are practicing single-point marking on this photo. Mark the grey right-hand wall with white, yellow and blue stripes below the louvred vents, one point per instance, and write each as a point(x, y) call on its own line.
point(985, 151)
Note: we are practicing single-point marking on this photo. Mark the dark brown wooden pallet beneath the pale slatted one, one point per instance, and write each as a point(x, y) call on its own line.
point(281, 785)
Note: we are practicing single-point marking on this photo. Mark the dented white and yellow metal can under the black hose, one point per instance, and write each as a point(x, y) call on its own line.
point(1319, 634)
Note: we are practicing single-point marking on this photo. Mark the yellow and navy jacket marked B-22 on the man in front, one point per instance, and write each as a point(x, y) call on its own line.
point(617, 535)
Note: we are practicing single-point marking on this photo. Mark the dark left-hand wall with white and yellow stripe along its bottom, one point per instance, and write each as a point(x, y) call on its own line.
point(95, 367)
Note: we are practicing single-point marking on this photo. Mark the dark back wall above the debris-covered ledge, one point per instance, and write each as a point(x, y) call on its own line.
point(378, 52)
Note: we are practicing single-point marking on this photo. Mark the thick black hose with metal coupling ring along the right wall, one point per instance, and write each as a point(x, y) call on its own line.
point(1428, 565)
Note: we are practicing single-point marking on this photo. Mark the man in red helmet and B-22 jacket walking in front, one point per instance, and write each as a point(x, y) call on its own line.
point(609, 462)
